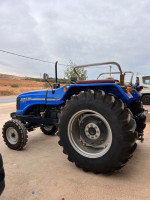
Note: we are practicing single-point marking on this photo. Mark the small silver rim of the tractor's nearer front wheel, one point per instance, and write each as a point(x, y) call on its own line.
point(12, 135)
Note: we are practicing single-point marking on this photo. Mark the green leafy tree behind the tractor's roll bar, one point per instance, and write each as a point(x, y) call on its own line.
point(69, 72)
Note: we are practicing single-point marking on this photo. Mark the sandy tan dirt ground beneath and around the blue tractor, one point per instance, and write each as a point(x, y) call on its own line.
point(41, 168)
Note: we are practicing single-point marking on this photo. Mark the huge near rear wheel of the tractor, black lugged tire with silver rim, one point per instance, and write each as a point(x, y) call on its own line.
point(96, 130)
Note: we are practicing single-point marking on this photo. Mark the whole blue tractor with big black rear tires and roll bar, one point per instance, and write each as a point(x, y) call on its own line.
point(97, 121)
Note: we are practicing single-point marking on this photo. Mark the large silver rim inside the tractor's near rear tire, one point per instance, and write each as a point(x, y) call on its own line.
point(89, 133)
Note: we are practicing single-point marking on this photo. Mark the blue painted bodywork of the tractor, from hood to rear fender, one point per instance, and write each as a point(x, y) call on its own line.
point(58, 96)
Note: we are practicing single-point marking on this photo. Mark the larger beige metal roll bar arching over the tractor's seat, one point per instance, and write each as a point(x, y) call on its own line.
point(98, 64)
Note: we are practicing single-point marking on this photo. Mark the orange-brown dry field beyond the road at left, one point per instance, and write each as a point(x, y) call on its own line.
point(12, 86)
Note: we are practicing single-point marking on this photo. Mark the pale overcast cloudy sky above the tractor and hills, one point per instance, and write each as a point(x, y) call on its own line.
point(83, 31)
